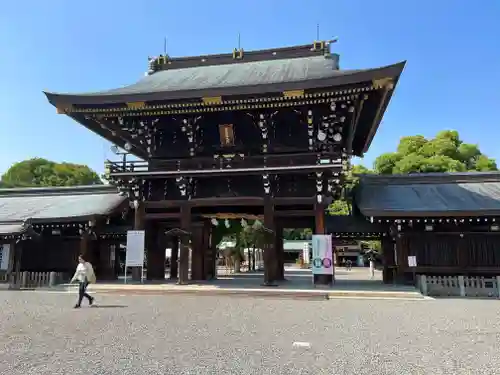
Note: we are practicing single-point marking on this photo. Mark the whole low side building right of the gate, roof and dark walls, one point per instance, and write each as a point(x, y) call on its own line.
point(448, 222)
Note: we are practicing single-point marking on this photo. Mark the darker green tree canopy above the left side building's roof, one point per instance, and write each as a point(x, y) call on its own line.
point(42, 172)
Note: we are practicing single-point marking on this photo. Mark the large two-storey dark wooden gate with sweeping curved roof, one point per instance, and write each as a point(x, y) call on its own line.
point(263, 134)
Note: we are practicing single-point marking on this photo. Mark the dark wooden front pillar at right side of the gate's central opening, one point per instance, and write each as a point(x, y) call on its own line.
point(270, 260)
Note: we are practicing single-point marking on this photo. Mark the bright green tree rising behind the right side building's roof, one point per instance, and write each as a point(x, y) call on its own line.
point(444, 153)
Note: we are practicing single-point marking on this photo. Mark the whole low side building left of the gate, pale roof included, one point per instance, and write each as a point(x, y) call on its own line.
point(45, 229)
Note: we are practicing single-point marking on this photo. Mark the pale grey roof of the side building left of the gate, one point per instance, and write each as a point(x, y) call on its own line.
point(20, 206)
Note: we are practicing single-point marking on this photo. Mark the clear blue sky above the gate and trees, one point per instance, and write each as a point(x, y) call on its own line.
point(452, 78)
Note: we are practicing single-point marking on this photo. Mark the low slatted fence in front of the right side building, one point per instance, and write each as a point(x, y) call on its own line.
point(460, 286)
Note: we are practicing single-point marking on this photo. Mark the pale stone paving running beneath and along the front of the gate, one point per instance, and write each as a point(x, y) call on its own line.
point(298, 284)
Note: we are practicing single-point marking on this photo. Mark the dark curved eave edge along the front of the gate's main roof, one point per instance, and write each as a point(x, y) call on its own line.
point(367, 75)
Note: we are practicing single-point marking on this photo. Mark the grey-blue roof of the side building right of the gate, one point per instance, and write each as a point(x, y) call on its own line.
point(430, 194)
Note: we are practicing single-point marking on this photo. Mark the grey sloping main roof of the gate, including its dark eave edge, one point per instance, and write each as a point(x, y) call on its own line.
point(243, 78)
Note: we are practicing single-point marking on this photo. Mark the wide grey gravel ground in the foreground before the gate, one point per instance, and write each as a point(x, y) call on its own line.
point(41, 334)
